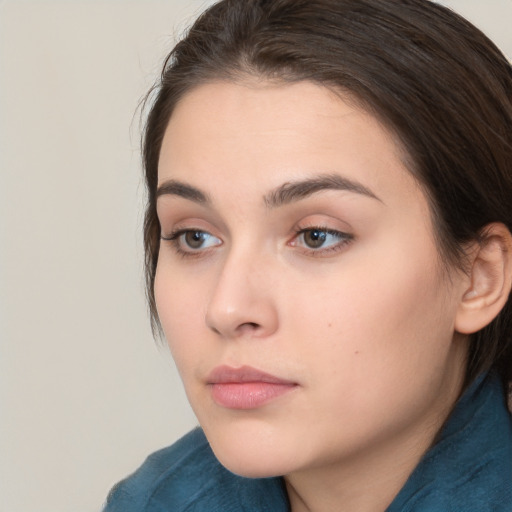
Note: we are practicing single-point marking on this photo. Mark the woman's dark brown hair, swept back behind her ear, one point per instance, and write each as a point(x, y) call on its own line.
point(439, 84)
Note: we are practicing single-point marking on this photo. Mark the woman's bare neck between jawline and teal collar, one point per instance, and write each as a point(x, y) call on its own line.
point(369, 480)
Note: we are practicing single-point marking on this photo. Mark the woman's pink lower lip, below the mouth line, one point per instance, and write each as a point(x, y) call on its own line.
point(248, 395)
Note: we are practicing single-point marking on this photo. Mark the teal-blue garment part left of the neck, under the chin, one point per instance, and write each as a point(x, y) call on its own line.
point(187, 477)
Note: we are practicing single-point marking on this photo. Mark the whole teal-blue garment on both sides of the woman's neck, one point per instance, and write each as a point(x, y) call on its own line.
point(469, 469)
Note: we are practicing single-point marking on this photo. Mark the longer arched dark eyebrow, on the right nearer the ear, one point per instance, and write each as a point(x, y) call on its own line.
point(296, 190)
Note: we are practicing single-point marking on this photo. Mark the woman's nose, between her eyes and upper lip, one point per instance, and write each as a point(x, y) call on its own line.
point(242, 303)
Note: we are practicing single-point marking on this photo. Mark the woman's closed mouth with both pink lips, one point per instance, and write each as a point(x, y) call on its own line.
point(246, 387)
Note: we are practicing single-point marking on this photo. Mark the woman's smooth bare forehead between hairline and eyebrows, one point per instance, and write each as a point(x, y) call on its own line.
point(263, 134)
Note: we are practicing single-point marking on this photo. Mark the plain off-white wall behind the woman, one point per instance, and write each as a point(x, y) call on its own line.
point(85, 393)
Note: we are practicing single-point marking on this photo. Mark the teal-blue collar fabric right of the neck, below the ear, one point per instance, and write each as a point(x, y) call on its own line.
point(469, 469)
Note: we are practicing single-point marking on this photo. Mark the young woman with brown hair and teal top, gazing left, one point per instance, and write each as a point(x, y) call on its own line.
point(329, 257)
